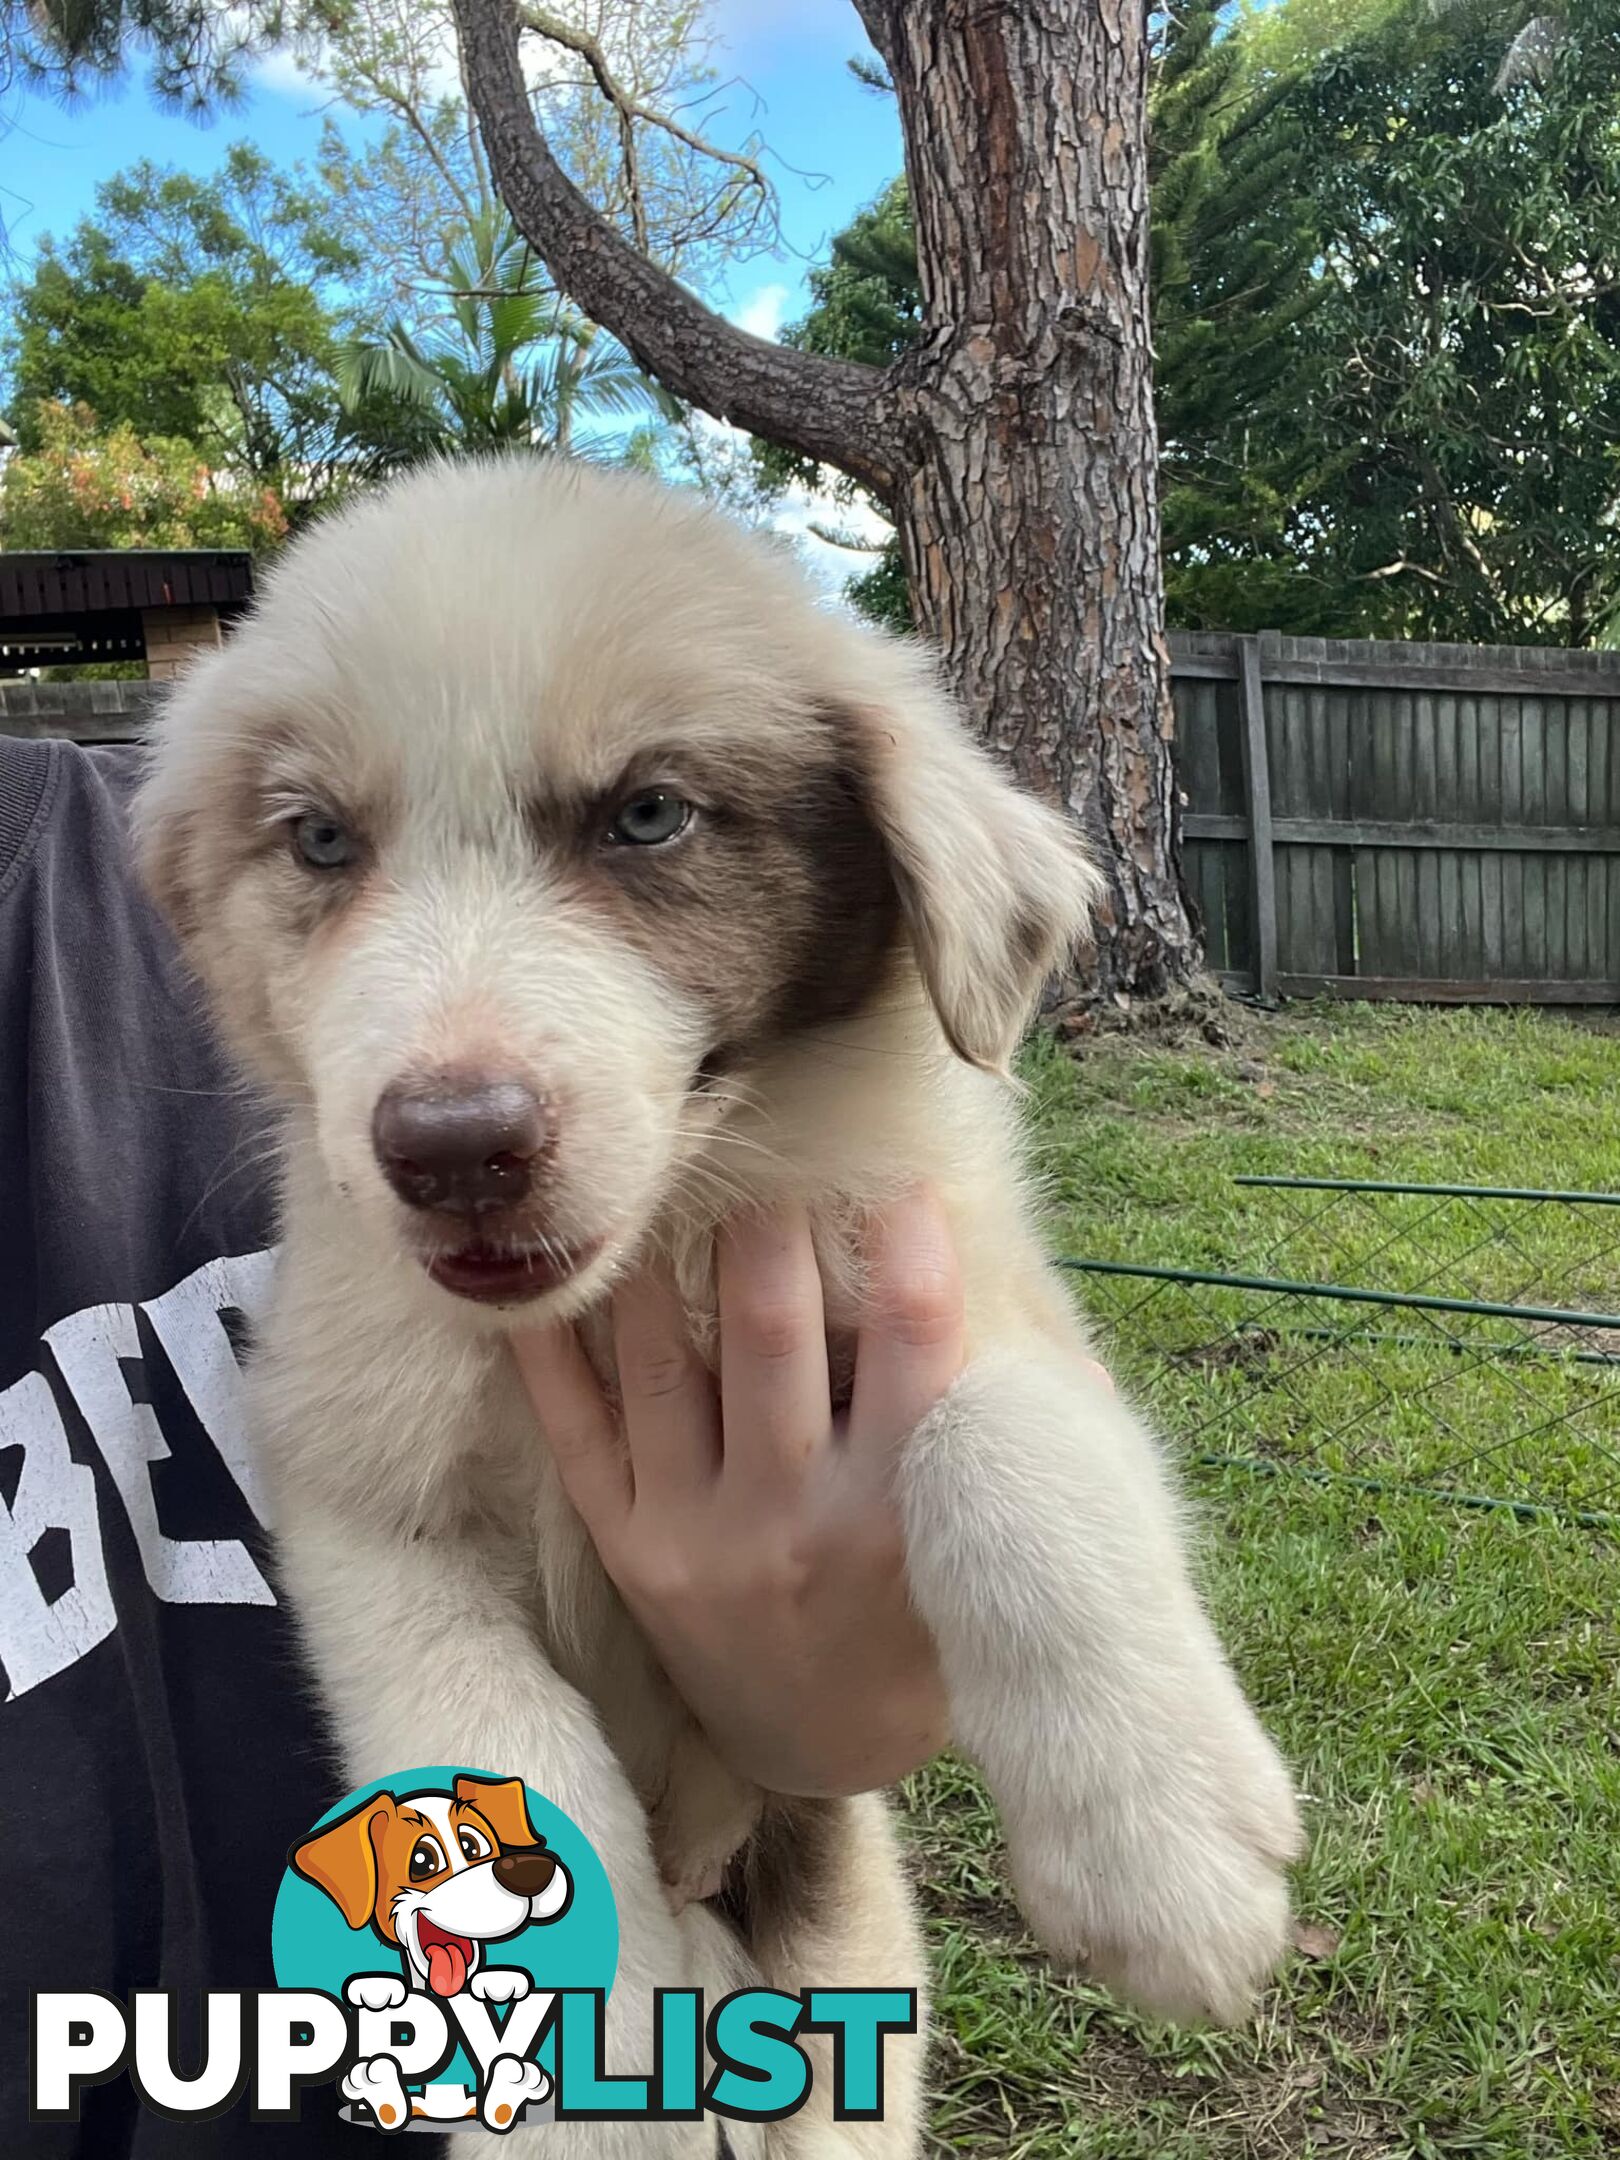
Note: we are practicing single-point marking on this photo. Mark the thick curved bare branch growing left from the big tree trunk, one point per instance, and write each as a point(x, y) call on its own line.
point(833, 411)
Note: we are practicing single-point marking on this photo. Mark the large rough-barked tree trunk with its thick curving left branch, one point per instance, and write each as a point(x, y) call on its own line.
point(1014, 446)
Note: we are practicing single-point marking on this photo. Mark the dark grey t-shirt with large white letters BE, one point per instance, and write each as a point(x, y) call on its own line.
point(159, 1740)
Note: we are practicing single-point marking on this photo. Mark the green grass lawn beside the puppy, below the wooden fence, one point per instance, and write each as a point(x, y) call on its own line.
point(1444, 1679)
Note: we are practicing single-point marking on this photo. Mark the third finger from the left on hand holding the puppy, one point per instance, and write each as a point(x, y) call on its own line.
point(777, 1399)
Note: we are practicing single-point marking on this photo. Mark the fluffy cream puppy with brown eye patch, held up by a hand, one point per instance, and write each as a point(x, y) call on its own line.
point(573, 882)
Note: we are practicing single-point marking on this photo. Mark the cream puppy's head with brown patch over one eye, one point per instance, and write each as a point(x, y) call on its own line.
point(532, 811)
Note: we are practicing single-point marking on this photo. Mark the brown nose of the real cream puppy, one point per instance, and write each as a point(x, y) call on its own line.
point(465, 1148)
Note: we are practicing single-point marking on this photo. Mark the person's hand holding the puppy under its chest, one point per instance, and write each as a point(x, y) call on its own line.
point(751, 1530)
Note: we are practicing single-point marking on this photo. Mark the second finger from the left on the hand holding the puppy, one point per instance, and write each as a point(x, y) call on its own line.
point(669, 1394)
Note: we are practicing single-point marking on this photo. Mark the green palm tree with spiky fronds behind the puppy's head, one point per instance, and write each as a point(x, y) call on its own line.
point(511, 366)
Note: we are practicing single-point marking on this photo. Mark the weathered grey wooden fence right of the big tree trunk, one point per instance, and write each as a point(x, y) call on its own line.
point(1403, 822)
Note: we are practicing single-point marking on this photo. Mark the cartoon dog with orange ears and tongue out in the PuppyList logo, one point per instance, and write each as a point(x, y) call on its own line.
point(440, 1876)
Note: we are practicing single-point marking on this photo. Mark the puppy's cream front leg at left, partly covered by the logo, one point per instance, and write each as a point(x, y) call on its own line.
point(427, 1656)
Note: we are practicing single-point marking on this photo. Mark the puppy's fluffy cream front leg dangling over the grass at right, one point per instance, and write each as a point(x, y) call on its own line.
point(1148, 1818)
